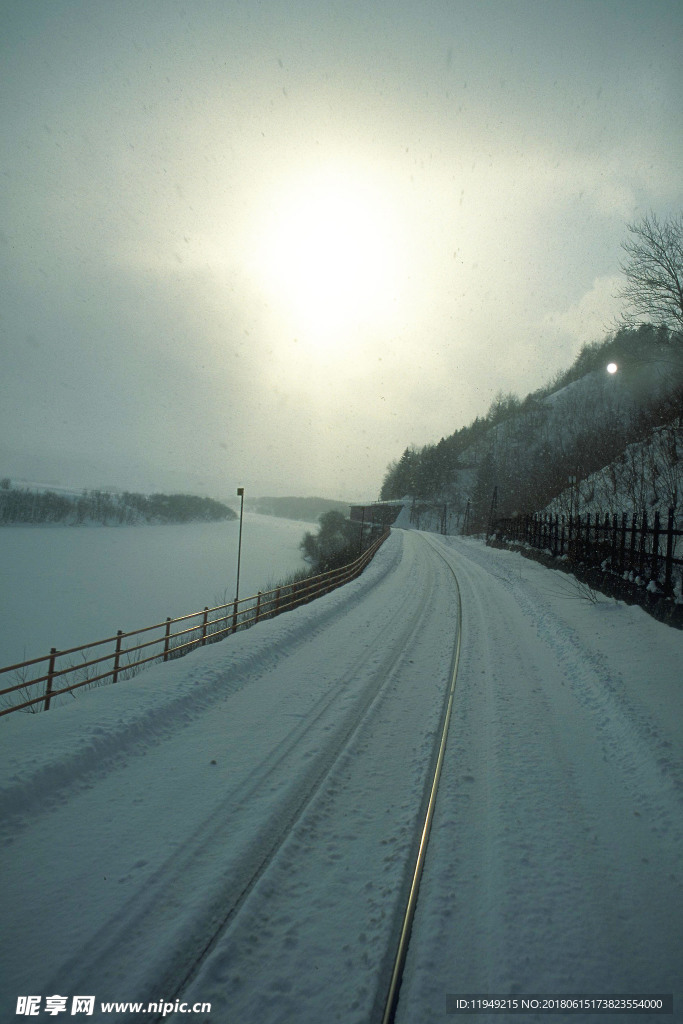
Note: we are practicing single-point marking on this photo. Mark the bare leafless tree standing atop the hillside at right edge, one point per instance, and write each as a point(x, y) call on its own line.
point(654, 271)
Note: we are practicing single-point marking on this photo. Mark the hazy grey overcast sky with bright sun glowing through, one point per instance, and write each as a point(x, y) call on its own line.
point(272, 244)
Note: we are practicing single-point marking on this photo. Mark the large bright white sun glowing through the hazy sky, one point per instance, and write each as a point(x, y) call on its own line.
point(329, 255)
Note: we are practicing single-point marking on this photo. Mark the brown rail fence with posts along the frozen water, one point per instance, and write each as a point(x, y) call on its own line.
point(116, 659)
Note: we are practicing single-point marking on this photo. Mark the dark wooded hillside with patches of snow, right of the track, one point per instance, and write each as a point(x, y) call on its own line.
point(526, 453)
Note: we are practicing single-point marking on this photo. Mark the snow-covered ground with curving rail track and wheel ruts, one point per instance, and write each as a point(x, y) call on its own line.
point(238, 828)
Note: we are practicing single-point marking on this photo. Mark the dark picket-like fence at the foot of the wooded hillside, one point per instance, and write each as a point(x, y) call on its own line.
point(642, 548)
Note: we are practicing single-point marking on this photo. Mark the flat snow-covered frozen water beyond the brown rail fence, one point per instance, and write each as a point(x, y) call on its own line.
point(62, 587)
